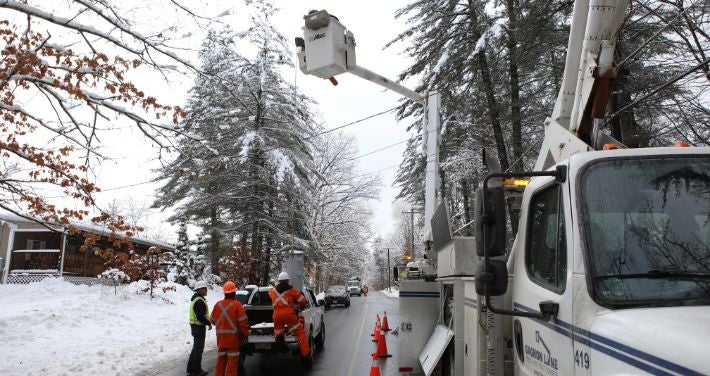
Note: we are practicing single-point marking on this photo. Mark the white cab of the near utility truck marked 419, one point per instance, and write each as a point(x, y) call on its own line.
point(621, 248)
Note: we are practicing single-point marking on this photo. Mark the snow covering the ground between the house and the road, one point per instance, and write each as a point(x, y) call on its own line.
point(54, 327)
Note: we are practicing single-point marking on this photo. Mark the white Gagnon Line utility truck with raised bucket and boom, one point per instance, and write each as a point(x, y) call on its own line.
point(609, 272)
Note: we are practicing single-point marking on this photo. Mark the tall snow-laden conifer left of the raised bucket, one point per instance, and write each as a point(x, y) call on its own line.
point(244, 181)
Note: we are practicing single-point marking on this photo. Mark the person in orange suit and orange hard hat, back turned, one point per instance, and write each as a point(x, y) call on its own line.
point(232, 324)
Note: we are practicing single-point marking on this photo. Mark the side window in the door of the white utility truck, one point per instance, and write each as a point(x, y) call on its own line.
point(546, 256)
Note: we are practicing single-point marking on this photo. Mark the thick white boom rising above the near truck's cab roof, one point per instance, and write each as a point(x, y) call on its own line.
point(586, 83)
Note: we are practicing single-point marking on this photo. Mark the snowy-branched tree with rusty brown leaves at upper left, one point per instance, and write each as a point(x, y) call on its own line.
point(67, 77)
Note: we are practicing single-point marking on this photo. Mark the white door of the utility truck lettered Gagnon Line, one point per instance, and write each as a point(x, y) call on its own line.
point(543, 273)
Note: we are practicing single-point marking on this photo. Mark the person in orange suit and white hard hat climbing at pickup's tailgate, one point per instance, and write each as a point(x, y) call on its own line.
point(285, 300)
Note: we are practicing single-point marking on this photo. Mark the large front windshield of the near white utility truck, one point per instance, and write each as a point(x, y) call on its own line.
point(648, 233)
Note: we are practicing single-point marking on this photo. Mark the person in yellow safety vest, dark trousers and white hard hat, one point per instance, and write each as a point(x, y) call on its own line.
point(199, 321)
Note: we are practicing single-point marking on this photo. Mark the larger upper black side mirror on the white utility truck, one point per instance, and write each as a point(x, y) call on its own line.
point(493, 222)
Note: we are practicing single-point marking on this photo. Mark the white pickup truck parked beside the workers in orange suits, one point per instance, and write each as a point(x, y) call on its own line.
point(257, 305)
